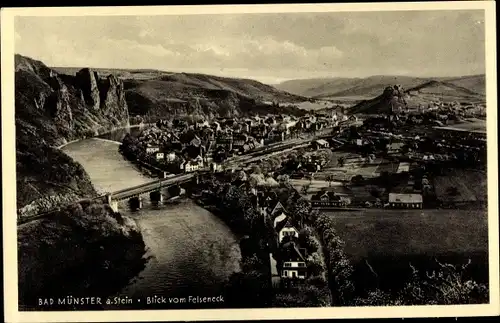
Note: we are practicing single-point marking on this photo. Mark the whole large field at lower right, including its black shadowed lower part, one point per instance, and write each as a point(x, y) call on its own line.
point(387, 242)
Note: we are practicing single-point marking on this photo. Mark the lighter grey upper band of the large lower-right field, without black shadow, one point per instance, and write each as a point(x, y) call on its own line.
point(403, 232)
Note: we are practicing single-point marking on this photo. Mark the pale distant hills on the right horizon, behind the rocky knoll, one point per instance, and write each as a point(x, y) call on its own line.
point(366, 88)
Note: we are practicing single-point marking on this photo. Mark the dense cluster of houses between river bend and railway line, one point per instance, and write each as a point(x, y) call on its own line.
point(199, 144)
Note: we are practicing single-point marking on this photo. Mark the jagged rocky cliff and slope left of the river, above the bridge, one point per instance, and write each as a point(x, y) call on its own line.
point(51, 109)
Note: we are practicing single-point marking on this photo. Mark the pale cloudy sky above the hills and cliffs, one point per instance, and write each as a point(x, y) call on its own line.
point(268, 47)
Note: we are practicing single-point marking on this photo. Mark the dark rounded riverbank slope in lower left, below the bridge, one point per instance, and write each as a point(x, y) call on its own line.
point(85, 250)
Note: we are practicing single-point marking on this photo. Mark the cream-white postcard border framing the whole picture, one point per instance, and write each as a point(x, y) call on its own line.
point(9, 176)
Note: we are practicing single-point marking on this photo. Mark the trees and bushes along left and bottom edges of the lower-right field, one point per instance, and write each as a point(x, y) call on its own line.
point(447, 285)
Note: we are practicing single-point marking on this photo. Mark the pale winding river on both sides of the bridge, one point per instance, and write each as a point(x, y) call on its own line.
point(190, 251)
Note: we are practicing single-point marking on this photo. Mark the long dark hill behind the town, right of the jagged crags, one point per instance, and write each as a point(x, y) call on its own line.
point(153, 94)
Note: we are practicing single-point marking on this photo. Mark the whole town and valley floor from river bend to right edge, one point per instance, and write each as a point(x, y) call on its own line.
point(323, 163)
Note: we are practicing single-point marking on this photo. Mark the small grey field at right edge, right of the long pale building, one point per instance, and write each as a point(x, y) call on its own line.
point(461, 186)
